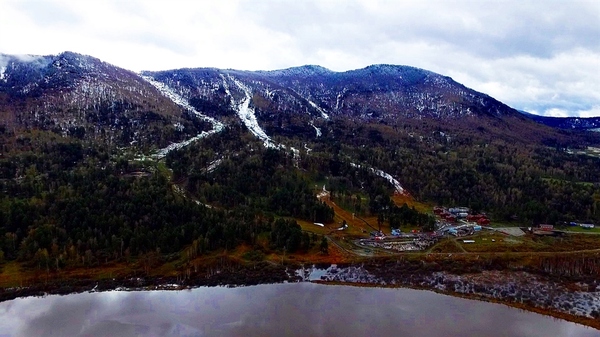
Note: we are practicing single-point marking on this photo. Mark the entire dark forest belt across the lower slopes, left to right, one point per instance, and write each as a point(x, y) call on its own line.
point(69, 202)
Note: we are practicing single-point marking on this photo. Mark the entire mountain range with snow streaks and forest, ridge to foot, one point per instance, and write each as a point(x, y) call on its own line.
point(101, 165)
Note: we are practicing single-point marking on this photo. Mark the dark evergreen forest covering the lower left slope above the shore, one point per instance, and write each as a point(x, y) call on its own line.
point(65, 203)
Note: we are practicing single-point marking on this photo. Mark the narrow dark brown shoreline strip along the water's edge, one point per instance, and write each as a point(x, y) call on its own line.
point(268, 273)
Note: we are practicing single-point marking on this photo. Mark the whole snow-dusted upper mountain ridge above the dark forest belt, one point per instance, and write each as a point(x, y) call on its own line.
point(80, 95)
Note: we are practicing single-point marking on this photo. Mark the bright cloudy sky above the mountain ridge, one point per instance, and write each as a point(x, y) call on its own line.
point(540, 56)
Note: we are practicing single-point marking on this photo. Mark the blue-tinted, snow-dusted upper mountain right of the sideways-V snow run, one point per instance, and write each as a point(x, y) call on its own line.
point(293, 102)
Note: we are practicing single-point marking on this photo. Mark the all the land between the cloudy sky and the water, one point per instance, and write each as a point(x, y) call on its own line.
point(224, 177)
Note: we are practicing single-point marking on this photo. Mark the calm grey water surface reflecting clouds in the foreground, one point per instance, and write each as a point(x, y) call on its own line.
point(300, 309)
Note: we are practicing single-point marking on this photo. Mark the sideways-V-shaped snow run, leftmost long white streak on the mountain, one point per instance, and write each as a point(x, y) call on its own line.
point(177, 99)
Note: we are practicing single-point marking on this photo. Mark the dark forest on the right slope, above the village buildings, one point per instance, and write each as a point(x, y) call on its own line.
point(510, 180)
